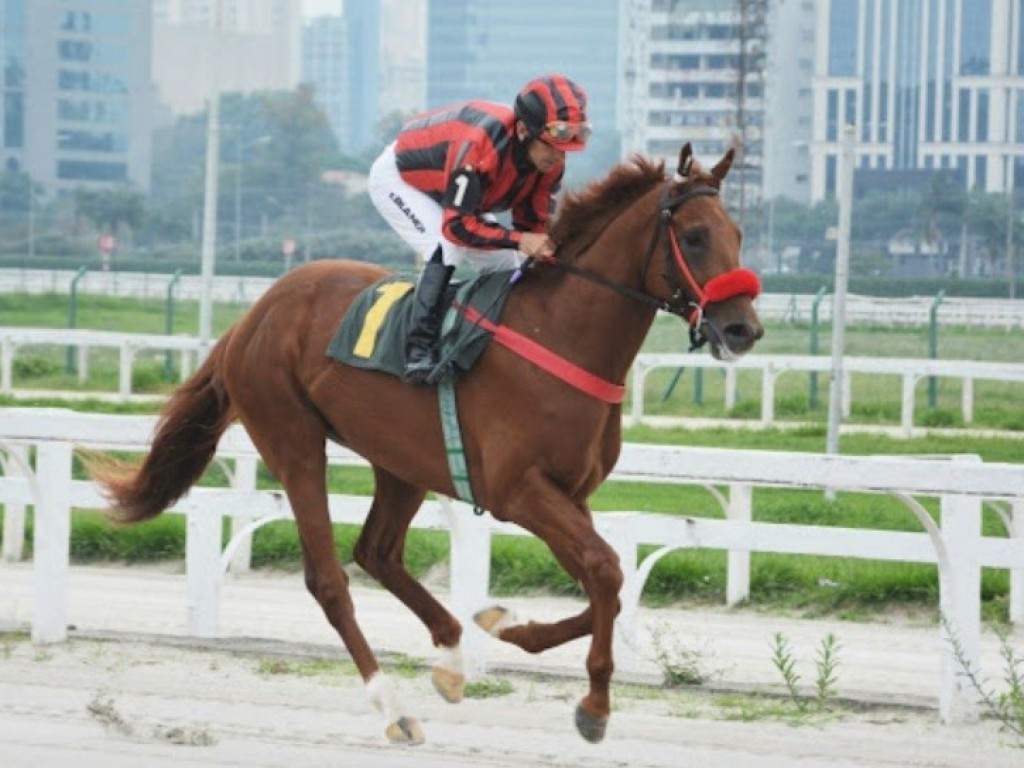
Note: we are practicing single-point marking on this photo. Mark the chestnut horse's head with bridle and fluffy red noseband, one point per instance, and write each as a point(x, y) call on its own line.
point(701, 267)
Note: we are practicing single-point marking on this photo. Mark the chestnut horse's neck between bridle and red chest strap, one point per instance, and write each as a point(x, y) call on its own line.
point(598, 327)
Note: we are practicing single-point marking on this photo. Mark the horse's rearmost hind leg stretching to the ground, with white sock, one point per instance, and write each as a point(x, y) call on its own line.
point(296, 456)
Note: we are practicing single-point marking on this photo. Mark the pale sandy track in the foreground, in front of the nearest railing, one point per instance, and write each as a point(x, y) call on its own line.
point(107, 705)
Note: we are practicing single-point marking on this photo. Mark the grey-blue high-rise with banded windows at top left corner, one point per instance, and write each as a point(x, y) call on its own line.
point(77, 93)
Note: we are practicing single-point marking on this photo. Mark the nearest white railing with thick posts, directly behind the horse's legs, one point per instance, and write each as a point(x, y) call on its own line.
point(962, 484)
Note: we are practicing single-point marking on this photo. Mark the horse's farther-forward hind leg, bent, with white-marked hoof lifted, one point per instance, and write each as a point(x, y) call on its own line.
point(379, 551)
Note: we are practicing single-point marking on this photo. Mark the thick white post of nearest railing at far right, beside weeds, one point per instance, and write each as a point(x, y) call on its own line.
point(960, 586)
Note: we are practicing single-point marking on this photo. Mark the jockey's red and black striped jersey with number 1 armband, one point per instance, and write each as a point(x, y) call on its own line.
point(466, 157)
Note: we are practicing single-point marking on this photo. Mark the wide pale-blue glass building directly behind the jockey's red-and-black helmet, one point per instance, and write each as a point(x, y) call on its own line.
point(489, 50)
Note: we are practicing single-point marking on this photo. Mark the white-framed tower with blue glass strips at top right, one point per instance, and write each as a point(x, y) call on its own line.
point(928, 84)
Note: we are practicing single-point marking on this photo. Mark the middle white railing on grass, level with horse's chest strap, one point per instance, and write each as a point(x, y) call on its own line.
point(14, 340)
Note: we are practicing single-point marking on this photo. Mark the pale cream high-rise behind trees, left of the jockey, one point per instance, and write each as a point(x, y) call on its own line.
point(257, 47)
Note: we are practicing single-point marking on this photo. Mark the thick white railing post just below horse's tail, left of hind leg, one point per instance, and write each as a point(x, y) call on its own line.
point(203, 535)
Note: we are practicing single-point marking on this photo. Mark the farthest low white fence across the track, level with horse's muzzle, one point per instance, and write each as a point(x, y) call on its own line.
point(910, 311)
